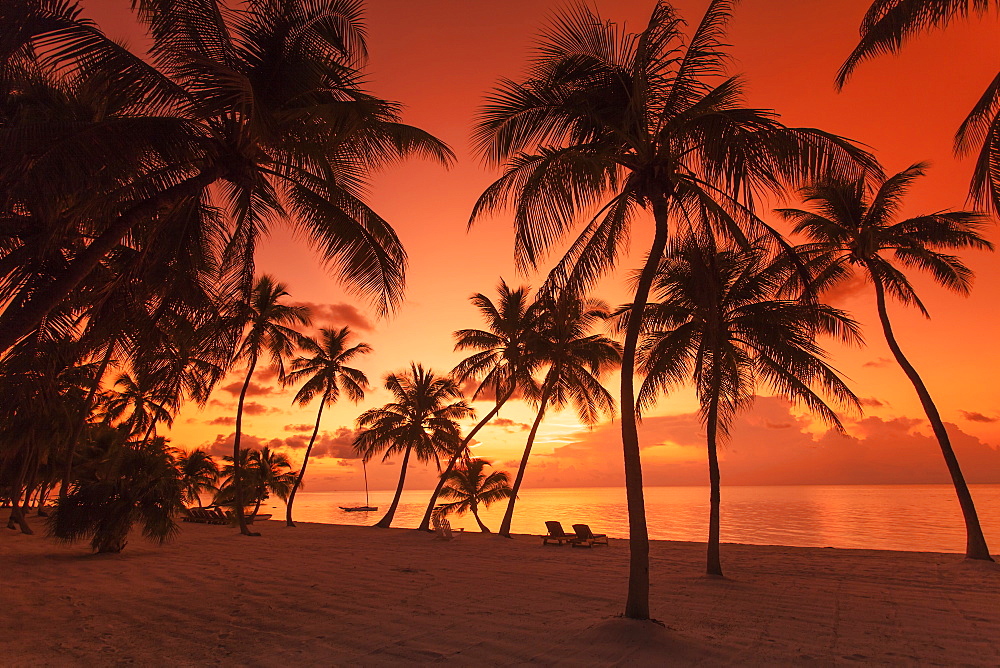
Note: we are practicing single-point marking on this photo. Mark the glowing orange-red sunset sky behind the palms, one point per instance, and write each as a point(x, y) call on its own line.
point(438, 57)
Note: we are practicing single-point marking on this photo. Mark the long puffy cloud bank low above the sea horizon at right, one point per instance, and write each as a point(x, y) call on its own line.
point(875, 451)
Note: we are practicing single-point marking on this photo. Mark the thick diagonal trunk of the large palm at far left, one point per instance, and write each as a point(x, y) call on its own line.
point(17, 322)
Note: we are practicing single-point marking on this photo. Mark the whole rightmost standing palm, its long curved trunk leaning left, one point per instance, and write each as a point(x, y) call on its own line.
point(853, 228)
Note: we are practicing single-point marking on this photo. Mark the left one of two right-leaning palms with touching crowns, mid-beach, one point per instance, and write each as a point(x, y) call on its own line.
point(504, 362)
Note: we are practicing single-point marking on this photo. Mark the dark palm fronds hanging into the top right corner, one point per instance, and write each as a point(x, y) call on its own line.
point(887, 25)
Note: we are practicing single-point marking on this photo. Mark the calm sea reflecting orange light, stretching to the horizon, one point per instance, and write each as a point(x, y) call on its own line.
point(885, 517)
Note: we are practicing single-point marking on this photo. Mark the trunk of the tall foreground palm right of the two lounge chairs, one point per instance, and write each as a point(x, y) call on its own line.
point(637, 603)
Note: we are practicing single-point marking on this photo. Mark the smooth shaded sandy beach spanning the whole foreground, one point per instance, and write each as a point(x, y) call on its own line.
point(332, 595)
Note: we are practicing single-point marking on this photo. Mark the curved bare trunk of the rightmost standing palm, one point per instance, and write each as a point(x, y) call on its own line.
point(975, 542)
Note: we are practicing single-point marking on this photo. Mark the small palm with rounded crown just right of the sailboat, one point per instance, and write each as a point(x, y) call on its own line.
point(420, 420)
